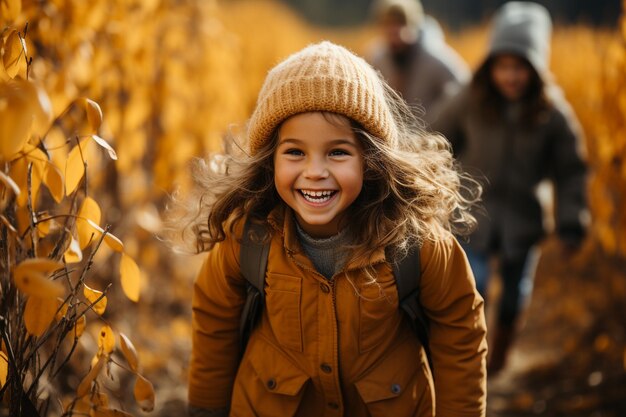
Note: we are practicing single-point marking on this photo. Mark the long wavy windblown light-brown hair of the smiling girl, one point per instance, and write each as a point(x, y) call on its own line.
point(412, 191)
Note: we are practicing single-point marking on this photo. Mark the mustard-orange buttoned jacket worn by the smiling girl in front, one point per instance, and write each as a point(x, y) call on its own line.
point(338, 347)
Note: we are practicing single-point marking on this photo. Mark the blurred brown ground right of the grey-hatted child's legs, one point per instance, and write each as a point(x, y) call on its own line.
point(569, 358)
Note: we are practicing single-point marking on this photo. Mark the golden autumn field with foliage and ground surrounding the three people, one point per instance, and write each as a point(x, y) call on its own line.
point(102, 106)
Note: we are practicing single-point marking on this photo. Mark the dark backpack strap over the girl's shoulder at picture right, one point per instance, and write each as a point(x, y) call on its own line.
point(408, 273)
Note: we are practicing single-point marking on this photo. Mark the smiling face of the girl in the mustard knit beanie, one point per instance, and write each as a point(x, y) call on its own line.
point(318, 170)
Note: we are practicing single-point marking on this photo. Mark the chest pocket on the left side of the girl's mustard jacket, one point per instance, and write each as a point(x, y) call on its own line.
point(283, 294)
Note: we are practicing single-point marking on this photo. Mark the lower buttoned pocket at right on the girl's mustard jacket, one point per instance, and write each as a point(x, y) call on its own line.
point(400, 385)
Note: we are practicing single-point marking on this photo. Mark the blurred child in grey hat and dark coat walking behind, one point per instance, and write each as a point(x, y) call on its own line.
point(512, 127)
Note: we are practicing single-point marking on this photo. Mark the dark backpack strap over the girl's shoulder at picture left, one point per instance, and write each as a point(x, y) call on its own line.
point(253, 263)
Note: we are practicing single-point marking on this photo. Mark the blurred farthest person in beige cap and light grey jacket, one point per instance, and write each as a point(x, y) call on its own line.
point(413, 56)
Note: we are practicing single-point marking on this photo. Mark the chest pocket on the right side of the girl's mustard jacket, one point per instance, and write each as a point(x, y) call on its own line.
point(378, 305)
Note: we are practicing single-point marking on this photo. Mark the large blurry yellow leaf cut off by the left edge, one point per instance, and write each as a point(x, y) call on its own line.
point(18, 106)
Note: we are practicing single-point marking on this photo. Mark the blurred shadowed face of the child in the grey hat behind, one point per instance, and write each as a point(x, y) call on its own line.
point(511, 75)
